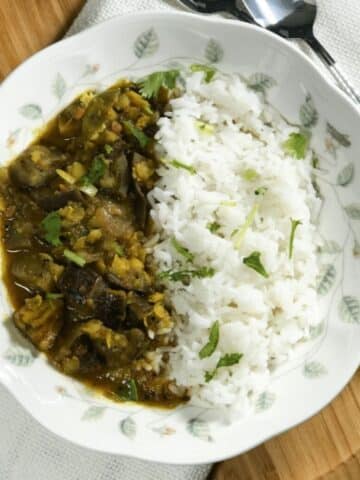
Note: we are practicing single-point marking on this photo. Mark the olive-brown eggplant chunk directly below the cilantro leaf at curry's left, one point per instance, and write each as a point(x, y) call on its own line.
point(35, 271)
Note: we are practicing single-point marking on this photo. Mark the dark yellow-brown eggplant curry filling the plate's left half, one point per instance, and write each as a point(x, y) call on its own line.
point(75, 224)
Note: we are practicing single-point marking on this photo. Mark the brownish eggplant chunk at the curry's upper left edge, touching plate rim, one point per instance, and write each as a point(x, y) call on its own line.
point(35, 166)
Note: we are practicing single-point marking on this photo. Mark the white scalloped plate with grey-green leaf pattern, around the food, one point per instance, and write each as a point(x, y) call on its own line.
point(134, 45)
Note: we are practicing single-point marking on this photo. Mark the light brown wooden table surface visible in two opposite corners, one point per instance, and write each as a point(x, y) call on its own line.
point(325, 447)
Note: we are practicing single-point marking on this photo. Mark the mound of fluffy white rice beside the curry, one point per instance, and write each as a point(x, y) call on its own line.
point(262, 318)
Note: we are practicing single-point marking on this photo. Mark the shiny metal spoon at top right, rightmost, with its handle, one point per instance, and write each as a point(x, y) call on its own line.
point(295, 18)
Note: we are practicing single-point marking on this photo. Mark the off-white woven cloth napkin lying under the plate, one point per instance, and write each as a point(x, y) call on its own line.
point(27, 450)
